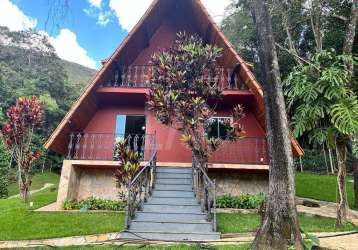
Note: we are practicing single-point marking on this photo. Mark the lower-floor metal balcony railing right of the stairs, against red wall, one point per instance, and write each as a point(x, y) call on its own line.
point(248, 150)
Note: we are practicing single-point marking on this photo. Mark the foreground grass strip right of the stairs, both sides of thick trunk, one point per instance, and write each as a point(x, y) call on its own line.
point(241, 223)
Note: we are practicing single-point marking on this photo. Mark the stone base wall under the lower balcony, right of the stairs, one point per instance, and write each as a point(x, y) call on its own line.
point(236, 183)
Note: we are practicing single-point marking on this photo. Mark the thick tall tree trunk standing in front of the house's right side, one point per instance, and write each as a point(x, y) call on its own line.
point(279, 227)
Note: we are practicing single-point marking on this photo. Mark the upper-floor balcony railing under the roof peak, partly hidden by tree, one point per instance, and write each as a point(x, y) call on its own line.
point(137, 76)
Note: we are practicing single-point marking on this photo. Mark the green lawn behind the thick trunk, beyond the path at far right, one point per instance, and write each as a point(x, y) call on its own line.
point(321, 187)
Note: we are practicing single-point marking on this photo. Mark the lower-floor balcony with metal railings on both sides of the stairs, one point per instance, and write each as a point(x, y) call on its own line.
point(83, 146)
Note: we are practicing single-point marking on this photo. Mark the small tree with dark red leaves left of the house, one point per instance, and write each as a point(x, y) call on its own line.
point(22, 119)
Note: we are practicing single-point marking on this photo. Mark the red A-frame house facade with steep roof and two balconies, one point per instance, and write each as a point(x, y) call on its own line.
point(114, 106)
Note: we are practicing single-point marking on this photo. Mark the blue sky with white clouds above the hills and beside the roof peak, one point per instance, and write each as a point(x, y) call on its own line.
point(89, 30)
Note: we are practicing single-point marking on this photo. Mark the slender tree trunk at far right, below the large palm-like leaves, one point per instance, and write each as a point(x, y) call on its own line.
point(342, 206)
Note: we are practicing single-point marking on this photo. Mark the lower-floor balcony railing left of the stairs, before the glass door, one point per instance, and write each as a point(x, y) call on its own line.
point(94, 146)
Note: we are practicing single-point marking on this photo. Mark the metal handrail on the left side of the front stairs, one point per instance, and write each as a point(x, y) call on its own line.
point(141, 186)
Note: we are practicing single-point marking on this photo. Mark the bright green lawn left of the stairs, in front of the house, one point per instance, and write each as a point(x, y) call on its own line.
point(19, 222)
